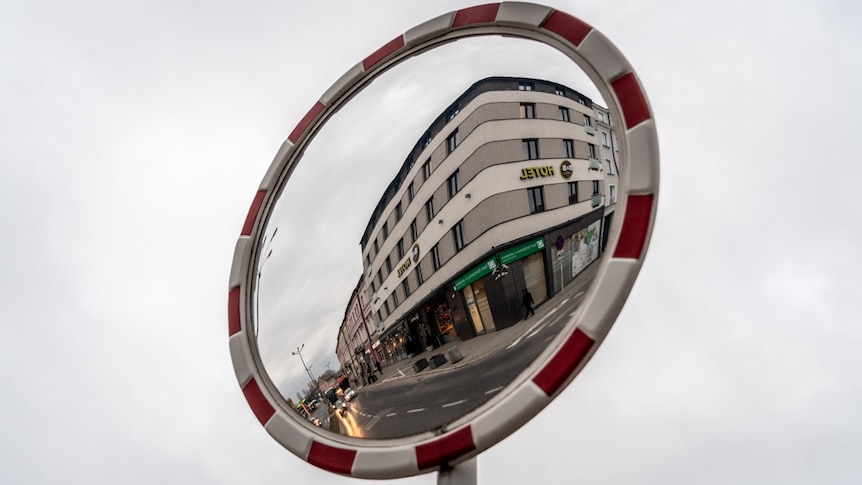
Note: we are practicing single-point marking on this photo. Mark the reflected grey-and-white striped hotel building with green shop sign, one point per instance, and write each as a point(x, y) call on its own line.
point(505, 191)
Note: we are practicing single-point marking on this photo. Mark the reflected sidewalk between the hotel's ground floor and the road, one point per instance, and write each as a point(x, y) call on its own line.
point(481, 346)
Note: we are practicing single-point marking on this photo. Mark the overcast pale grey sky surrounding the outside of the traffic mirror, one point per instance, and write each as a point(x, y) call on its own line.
point(133, 139)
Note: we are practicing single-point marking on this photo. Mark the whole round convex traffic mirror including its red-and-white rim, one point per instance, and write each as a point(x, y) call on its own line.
point(472, 207)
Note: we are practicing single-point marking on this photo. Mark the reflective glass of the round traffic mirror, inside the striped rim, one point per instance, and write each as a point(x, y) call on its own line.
point(439, 232)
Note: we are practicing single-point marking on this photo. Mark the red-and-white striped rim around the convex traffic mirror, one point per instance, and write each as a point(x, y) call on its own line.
point(559, 364)
